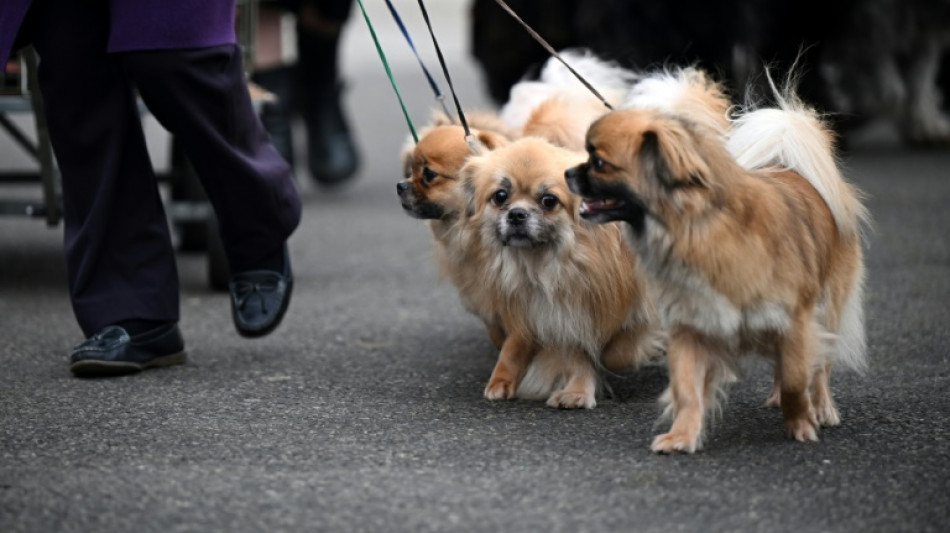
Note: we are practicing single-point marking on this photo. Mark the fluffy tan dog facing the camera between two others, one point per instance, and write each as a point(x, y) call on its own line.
point(563, 289)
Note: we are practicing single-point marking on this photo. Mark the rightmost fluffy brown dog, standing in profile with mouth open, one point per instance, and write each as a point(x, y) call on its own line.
point(765, 261)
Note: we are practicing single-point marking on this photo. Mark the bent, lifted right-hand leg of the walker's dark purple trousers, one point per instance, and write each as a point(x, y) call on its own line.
point(201, 97)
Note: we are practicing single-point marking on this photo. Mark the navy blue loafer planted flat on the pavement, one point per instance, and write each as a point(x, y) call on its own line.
point(113, 351)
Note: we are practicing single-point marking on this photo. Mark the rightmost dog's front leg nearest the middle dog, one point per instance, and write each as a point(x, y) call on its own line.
point(689, 361)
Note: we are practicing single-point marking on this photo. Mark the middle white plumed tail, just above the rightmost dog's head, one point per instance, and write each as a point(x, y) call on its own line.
point(687, 92)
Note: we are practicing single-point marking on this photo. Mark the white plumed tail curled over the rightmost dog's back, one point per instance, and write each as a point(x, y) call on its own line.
point(793, 136)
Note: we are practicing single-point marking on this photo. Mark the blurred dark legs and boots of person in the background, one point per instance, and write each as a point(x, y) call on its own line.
point(312, 87)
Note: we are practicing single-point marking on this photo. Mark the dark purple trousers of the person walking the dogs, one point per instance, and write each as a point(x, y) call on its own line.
point(119, 255)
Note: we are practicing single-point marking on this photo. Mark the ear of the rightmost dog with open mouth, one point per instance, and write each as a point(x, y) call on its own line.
point(670, 155)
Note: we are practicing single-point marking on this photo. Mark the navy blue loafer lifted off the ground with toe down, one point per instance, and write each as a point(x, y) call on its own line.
point(259, 299)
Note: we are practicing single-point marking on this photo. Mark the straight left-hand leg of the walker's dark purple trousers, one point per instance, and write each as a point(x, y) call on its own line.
point(119, 255)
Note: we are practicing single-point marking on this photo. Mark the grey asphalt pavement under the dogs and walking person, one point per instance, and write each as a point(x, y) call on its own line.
point(364, 412)
